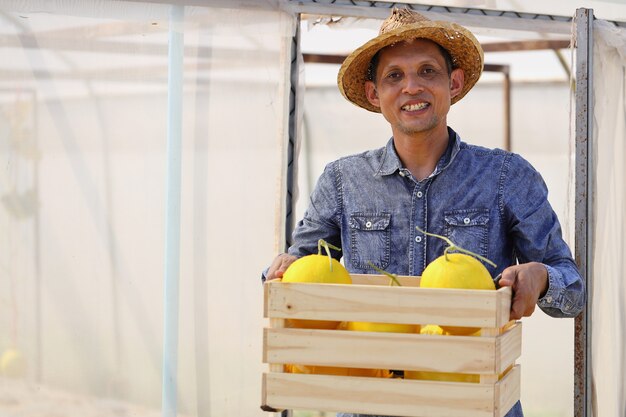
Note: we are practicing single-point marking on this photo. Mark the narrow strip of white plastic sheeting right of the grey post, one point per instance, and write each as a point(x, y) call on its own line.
point(608, 290)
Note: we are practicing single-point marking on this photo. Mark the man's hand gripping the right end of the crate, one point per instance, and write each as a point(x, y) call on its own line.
point(529, 282)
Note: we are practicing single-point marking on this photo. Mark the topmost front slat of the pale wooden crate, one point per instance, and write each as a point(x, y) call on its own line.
point(385, 304)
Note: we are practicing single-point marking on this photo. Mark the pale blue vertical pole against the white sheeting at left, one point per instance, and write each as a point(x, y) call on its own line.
point(172, 226)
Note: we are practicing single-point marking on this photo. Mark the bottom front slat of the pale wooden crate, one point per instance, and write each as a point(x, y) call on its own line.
point(390, 396)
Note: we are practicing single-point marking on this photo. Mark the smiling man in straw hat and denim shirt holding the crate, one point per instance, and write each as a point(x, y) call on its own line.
point(490, 202)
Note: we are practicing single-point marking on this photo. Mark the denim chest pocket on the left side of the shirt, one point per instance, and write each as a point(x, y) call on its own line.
point(370, 240)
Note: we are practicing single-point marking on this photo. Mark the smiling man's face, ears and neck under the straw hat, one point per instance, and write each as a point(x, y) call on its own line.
point(413, 86)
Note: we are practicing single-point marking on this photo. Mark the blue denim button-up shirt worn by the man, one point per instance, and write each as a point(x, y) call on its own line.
point(491, 202)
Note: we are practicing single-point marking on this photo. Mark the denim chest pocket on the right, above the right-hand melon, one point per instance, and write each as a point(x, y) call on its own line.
point(468, 229)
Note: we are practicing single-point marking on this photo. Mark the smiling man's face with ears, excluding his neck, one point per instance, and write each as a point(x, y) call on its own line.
point(412, 88)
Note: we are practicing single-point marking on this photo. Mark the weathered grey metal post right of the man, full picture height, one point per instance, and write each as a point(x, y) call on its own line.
point(583, 207)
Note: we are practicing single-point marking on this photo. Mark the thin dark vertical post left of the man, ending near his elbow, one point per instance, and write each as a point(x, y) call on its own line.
point(293, 135)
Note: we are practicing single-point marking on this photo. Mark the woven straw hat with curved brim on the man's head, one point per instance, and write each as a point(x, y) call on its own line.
point(403, 25)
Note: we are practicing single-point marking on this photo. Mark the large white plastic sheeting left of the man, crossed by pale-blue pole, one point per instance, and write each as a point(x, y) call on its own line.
point(83, 107)
